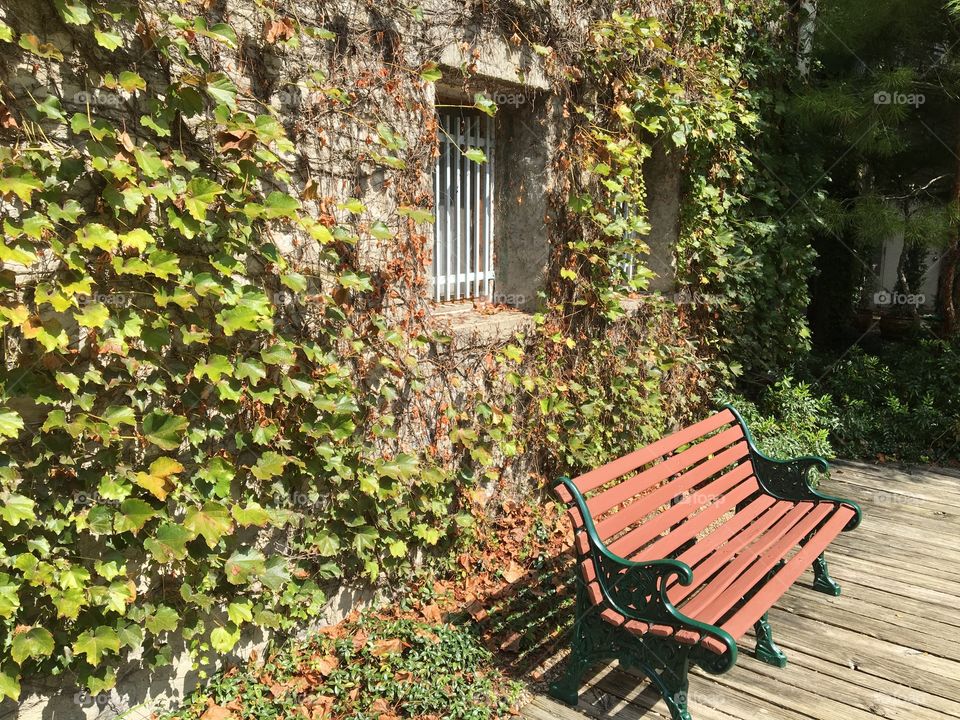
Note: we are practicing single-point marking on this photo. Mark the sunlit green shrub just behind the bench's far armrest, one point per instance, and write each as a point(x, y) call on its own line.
point(788, 420)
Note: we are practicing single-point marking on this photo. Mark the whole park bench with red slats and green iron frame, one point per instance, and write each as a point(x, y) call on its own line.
point(684, 545)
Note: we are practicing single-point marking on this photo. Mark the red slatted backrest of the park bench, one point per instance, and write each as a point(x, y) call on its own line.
point(677, 486)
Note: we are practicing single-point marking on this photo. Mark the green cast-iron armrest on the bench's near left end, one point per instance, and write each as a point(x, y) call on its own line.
point(638, 590)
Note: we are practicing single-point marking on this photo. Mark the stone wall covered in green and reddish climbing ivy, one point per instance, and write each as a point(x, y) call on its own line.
point(226, 392)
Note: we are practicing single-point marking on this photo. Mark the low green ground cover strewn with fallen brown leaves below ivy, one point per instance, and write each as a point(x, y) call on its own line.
point(365, 670)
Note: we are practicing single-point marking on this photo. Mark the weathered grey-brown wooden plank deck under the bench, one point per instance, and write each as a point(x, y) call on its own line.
point(886, 647)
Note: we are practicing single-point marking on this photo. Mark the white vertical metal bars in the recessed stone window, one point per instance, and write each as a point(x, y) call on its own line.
point(462, 265)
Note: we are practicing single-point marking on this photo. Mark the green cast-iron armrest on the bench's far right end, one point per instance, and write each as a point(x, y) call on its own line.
point(790, 479)
